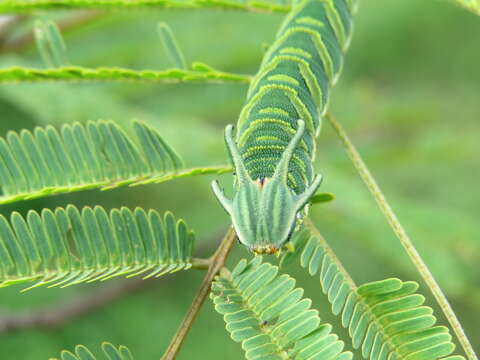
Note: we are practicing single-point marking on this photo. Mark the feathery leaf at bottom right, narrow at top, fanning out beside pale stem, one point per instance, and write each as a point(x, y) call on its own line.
point(386, 319)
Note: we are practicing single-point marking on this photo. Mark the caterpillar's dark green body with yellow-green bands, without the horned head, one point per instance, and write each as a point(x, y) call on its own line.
point(293, 83)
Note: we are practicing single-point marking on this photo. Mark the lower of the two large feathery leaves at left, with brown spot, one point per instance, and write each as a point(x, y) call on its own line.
point(68, 247)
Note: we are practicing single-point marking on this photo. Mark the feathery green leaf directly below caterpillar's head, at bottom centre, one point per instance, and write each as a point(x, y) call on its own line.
point(264, 312)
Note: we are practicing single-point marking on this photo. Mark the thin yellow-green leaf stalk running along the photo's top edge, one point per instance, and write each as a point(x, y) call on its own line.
point(27, 6)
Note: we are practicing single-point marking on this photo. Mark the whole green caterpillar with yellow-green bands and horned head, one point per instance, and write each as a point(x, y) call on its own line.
point(275, 141)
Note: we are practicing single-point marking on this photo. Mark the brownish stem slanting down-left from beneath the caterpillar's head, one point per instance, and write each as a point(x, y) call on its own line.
point(216, 263)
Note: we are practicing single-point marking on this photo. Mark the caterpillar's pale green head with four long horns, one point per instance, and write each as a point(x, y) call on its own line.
point(264, 211)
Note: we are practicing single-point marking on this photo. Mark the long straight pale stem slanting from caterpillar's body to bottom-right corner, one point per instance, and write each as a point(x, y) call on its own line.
point(401, 234)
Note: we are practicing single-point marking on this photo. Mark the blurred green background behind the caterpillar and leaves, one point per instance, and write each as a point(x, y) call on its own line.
point(409, 95)
